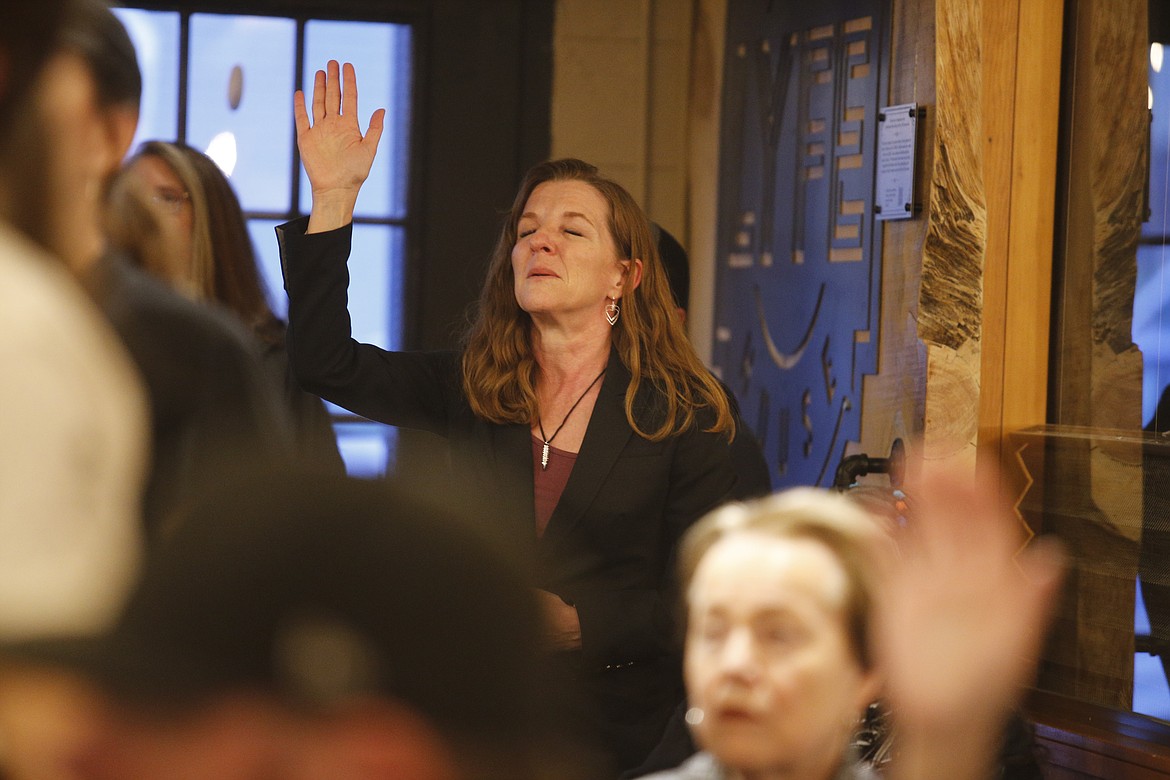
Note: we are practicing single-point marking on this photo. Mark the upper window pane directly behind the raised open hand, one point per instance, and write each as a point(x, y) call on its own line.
point(382, 57)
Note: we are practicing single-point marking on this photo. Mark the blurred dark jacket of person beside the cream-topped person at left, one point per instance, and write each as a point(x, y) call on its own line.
point(214, 411)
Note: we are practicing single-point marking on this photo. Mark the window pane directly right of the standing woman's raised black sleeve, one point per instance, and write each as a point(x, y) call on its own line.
point(376, 286)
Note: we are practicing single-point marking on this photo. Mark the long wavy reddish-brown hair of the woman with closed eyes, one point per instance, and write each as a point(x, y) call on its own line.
point(500, 370)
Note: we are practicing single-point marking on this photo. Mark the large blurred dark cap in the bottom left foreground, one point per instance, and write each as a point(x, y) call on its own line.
point(316, 590)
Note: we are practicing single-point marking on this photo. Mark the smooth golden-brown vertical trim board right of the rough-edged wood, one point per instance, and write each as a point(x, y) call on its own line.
point(1021, 111)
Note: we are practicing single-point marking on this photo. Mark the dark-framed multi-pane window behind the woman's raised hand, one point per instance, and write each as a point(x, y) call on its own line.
point(224, 84)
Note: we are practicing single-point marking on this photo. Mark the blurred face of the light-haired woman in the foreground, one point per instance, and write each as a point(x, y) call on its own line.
point(769, 660)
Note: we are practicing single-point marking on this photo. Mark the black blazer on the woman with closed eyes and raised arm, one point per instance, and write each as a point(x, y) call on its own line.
point(610, 546)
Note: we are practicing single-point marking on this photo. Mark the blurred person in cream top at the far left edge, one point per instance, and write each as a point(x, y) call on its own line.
point(73, 416)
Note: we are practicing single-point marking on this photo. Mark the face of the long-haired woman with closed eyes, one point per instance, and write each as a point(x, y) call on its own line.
point(565, 263)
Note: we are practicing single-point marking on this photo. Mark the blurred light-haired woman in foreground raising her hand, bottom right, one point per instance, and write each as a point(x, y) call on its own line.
point(801, 613)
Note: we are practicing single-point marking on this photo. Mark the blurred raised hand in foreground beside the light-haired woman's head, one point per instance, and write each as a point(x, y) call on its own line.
point(961, 625)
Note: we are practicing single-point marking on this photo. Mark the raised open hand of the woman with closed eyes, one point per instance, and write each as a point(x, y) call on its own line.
point(336, 155)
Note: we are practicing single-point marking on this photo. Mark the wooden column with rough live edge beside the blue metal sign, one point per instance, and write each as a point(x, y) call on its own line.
point(966, 287)
